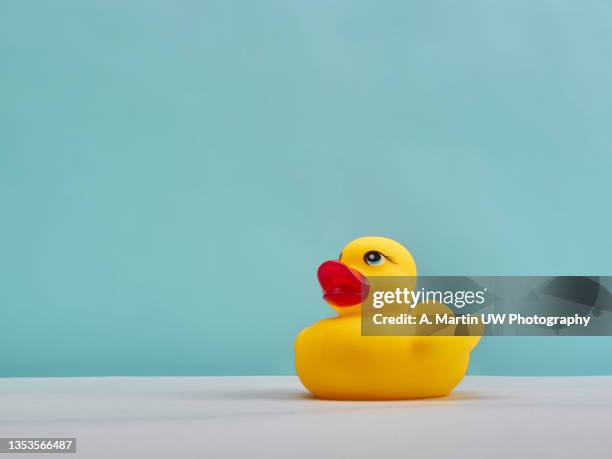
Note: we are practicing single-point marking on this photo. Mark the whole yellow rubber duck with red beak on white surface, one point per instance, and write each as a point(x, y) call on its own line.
point(334, 361)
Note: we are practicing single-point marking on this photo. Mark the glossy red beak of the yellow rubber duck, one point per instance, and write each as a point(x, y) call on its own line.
point(342, 286)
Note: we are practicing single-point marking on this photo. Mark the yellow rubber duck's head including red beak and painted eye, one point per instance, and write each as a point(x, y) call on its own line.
point(344, 282)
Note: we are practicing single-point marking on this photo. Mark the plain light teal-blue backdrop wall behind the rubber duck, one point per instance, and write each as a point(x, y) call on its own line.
point(172, 173)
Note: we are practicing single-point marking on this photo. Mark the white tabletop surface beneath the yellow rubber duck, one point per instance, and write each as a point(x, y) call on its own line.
point(269, 417)
